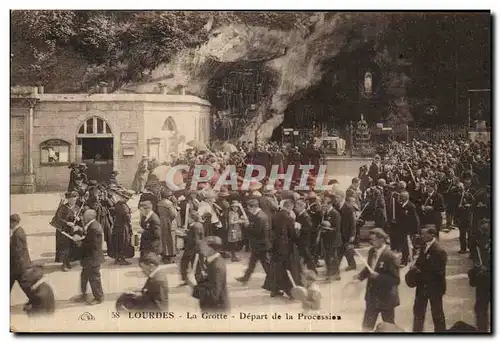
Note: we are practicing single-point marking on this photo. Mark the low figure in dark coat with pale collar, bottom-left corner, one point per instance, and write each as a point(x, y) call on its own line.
point(42, 301)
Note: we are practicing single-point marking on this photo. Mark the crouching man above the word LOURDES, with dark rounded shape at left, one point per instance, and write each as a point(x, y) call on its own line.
point(154, 294)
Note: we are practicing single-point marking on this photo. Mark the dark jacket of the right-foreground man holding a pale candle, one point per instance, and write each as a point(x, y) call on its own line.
point(383, 290)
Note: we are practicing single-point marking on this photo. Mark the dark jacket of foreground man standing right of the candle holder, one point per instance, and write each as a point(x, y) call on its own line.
point(431, 270)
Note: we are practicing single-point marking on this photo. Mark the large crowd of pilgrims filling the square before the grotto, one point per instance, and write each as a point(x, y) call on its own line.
point(408, 189)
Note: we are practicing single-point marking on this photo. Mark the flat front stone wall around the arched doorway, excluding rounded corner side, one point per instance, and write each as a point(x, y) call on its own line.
point(56, 120)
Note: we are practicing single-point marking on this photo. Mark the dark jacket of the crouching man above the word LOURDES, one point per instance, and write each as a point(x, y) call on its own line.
point(155, 292)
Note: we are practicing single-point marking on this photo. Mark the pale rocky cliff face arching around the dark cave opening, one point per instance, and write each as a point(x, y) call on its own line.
point(292, 58)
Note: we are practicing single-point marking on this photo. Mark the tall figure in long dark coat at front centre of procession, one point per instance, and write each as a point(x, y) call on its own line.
point(284, 253)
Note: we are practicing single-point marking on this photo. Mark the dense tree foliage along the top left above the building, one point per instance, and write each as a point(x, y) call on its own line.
point(116, 46)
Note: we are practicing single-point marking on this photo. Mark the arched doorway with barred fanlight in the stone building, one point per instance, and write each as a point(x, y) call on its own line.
point(95, 148)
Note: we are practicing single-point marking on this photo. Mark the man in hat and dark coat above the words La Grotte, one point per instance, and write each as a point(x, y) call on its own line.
point(211, 290)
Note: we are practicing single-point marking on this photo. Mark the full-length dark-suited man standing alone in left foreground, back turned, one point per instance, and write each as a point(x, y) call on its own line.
point(92, 257)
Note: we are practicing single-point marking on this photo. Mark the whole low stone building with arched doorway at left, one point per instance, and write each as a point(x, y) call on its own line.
point(105, 131)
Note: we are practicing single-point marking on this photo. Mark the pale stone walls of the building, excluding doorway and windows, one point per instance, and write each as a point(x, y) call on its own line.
point(59, 116)
